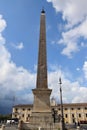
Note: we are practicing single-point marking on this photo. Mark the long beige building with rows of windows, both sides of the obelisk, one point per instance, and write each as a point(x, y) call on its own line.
point(75, 112)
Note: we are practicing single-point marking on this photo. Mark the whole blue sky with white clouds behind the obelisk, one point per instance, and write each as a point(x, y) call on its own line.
point(66, 31)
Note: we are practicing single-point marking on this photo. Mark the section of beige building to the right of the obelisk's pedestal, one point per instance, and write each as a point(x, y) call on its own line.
point(75, 112)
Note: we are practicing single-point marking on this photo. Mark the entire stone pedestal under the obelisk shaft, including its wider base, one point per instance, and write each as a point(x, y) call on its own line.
point(41, 114)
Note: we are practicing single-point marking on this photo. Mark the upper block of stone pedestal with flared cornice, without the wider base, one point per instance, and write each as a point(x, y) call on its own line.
point(41, 100)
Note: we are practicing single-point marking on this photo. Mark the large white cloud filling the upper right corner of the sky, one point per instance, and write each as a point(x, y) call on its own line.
point(75, 13)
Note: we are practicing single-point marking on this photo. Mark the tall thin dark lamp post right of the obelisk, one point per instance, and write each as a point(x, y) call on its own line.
point(61, 103)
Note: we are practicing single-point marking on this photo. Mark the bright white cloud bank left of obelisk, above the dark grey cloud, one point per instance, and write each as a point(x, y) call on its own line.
point(13, 77)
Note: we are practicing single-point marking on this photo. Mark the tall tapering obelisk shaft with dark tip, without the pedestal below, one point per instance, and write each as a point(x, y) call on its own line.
point(42, 61)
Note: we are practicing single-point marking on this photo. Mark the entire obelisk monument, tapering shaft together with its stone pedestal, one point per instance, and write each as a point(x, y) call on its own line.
point(41, 107)
